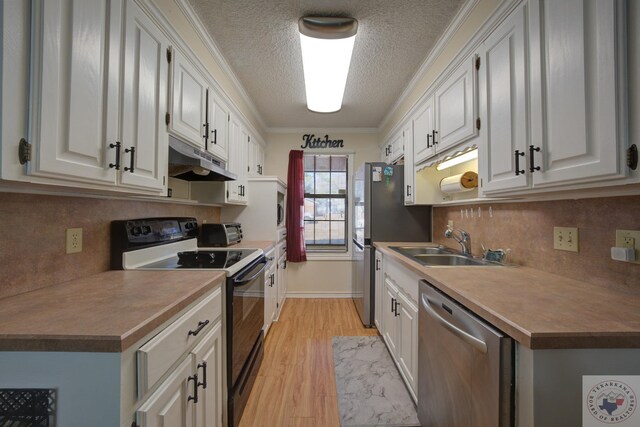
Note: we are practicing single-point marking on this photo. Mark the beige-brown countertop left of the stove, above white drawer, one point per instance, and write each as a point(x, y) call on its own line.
point(106, 312)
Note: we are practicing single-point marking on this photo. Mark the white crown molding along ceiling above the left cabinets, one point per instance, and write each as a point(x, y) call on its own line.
point(210, 44)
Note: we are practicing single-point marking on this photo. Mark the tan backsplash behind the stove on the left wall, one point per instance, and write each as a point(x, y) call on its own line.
point(32, 230)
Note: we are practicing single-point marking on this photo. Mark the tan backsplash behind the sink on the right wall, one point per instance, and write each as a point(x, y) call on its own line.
point(527, 229)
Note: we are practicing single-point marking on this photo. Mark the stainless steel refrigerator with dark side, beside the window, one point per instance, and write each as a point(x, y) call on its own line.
point(379, 215)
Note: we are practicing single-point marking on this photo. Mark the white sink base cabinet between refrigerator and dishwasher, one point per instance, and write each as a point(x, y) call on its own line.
point(399, 318)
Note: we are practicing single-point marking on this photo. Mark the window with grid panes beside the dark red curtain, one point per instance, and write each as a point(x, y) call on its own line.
point(325, 202)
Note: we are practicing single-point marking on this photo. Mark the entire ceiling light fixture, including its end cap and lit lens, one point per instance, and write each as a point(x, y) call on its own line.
point(327, 44)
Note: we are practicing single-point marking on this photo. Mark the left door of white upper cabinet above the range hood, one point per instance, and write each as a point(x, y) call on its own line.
point(188, 109)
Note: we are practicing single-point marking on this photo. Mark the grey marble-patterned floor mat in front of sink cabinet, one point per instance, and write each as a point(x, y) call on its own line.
point(370, 389)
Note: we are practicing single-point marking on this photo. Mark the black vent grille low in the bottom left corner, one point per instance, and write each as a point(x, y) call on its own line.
point(22, 407)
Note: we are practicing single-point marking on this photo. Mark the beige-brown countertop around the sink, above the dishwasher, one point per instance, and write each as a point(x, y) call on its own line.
point(538, 309)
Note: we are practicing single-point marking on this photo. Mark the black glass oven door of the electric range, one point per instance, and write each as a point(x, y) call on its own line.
point(245, 316)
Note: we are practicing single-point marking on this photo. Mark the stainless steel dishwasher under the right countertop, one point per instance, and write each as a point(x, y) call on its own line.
point(465, 366)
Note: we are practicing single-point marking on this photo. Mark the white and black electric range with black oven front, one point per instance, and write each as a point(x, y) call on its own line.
point(171, 243)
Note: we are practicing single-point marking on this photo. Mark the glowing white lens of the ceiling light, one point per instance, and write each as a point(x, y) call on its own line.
point(326, 61)
